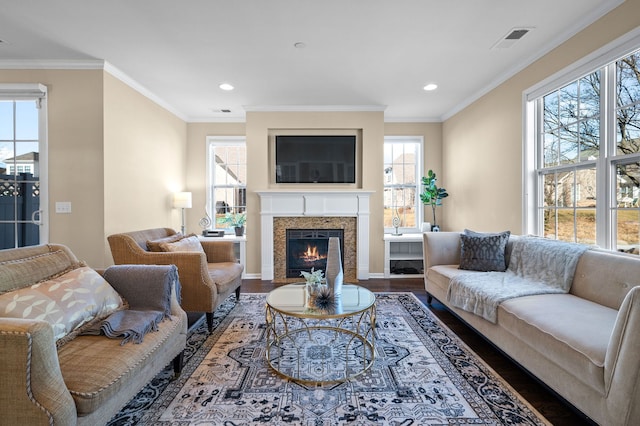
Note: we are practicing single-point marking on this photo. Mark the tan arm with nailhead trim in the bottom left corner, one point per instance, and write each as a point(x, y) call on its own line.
point(33, 390)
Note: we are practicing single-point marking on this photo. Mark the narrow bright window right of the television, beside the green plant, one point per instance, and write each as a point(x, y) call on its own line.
point(402, 181)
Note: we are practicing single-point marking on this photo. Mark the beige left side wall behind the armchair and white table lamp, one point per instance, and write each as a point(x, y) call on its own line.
point(145, 158)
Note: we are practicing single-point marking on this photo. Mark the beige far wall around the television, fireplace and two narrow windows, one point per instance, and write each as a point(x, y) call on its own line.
point(257, 130)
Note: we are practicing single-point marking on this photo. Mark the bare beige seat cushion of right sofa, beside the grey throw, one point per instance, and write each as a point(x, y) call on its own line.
point(569, 331)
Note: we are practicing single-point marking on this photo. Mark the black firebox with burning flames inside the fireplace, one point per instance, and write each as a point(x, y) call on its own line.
point(307, 248)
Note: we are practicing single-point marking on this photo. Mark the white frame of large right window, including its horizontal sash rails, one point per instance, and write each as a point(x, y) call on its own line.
point(604, 60)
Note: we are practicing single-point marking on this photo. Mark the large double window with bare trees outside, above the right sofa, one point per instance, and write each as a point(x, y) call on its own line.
point(584, 165)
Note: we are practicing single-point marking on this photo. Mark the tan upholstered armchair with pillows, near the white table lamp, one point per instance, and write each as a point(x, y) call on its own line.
point(209, 271)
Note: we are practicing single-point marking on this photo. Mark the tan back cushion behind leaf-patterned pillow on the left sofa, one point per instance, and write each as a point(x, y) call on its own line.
point(23, 272)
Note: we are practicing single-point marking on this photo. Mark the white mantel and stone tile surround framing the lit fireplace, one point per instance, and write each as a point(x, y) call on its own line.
point(291, 208)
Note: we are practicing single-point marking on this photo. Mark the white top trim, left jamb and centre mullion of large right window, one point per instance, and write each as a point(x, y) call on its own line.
point(611, 52)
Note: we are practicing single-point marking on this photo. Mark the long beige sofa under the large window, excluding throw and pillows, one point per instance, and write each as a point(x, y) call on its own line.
point(584, 345)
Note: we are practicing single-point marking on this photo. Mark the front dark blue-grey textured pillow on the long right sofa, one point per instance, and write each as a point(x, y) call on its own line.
point(483, 252)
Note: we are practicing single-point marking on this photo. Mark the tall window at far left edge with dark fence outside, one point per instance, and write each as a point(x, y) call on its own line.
point(22, 165)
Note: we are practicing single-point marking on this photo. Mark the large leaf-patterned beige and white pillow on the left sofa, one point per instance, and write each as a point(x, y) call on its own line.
point(67, 302)
